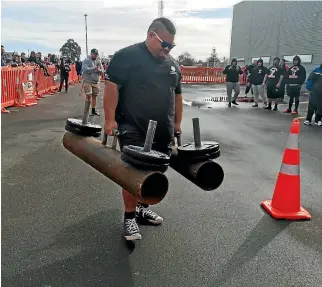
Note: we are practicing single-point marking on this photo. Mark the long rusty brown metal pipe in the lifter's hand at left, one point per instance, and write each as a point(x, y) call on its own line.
point(149, 187)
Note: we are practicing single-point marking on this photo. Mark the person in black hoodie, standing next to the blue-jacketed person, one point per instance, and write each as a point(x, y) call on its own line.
point(295, 78)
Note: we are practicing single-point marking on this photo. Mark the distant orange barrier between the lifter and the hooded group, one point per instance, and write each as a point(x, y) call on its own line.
point(206, 75)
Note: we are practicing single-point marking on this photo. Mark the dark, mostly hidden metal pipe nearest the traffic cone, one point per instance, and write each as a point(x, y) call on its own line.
point(208, 175)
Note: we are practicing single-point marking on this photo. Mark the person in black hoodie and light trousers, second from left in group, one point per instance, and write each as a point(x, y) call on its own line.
point(256, 79)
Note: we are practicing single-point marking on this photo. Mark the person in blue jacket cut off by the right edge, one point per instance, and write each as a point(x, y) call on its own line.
point(314, 86)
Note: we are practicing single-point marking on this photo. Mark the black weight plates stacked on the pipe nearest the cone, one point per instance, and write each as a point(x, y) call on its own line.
point(207, 147)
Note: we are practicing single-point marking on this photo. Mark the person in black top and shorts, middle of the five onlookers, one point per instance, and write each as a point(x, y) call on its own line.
point(274, 79)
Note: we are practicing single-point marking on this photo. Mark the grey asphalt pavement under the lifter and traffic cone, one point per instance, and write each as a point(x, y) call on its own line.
point(62, 220)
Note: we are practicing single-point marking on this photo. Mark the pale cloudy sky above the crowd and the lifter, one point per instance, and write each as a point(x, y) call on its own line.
point(112, 24)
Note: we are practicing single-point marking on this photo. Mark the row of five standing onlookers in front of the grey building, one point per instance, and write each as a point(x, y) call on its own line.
point(271, 84)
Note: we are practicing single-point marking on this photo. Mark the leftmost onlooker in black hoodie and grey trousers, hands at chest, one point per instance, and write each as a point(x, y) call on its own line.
point(232, 72)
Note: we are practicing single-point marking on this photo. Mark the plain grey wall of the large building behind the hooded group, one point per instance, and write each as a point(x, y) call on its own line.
point(266, 29)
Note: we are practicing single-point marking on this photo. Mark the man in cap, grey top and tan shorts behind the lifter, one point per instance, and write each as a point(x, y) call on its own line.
point(91, 71)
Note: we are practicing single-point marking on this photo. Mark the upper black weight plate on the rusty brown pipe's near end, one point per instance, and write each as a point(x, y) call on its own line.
point(153, 156)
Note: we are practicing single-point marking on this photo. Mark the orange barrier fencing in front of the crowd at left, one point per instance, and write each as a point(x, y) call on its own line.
point(24, 86)
